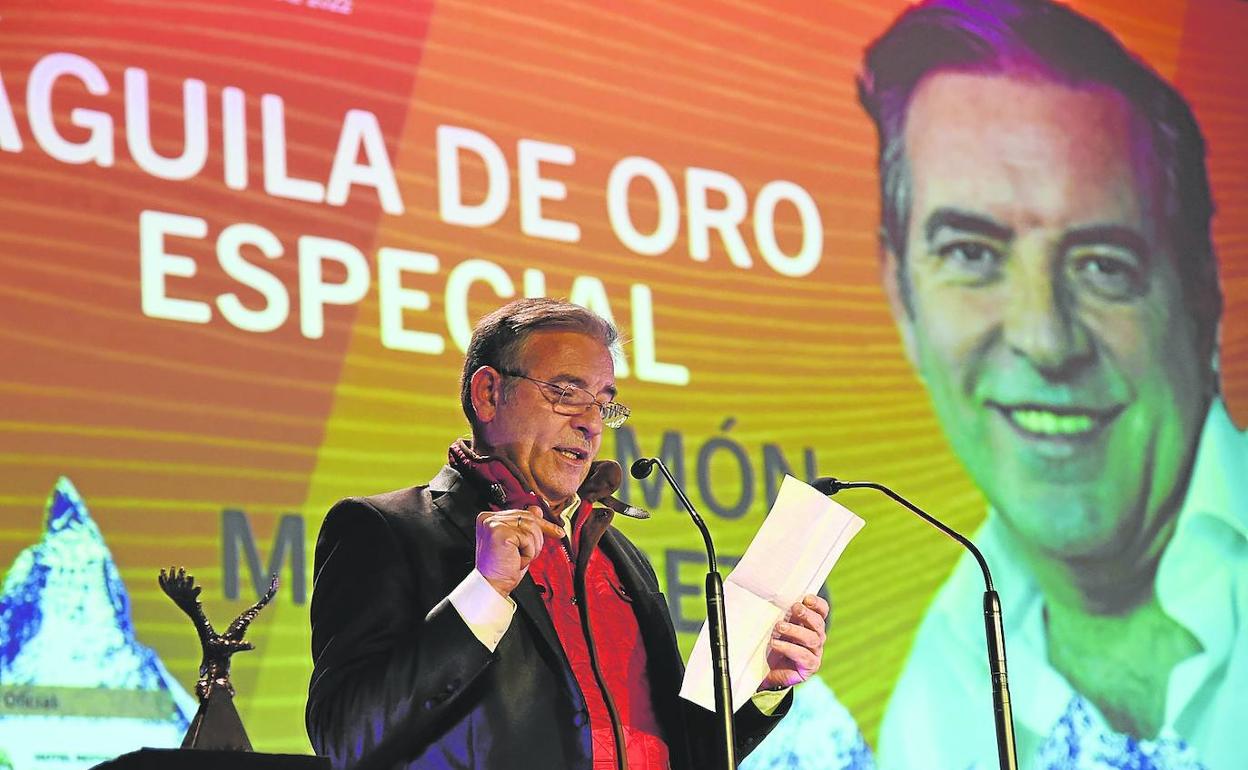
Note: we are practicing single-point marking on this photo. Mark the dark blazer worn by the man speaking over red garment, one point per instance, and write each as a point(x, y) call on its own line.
point(392, 688)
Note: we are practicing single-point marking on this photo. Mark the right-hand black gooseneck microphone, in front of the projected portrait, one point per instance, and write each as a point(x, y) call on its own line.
point(993, 626)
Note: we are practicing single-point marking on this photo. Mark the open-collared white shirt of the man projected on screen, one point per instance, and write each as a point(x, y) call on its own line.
point(942, 712)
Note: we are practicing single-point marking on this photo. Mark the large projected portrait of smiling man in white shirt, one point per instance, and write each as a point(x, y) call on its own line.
point(1048, 258)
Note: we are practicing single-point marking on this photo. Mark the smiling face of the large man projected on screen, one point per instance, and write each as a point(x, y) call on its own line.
point(1043, 313)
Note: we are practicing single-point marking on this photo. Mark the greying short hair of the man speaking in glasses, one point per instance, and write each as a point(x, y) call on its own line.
point(500, 338)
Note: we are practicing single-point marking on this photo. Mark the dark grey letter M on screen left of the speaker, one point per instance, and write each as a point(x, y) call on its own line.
point(236, 539)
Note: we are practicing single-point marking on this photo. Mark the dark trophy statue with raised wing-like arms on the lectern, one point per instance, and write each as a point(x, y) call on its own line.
point(217, 724)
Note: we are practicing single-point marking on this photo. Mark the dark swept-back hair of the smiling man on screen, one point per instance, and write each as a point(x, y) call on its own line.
point(1045, 41)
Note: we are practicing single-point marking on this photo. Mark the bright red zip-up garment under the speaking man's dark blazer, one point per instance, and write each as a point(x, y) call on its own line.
point(618, 645)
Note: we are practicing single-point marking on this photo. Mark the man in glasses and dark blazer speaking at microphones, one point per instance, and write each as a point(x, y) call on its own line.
point(494, 618)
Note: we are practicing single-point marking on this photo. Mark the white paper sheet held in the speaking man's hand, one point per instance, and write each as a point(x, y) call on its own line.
point(791, 557)
